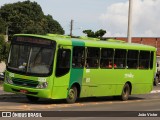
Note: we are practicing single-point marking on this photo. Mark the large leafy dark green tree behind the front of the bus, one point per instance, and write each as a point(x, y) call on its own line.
point(28, 17)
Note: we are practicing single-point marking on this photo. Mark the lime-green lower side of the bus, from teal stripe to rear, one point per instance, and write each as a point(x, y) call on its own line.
point(104, 82)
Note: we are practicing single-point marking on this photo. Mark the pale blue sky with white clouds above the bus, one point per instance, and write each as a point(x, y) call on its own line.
point(110, 15)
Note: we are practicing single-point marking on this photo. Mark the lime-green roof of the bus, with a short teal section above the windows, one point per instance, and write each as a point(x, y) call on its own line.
point(92, 42)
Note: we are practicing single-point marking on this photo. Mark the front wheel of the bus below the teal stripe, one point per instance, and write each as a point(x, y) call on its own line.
point(72, 95)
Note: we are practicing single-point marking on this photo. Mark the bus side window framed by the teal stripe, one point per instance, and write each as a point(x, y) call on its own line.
point(78, 58)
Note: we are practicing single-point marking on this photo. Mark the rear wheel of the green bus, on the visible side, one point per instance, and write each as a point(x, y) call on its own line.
point(125, 92)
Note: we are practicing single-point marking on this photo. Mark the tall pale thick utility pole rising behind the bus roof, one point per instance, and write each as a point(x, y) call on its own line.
point(129, 35)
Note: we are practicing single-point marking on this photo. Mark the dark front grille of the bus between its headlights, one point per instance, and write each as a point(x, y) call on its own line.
point(25, 82)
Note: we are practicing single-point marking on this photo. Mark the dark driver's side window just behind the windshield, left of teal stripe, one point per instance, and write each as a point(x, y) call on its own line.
point(63, 62)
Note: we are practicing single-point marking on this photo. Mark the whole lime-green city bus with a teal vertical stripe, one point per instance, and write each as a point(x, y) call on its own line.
point(60, 67)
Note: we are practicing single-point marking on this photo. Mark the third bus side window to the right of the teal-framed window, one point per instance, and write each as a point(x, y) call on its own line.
point(120, 58)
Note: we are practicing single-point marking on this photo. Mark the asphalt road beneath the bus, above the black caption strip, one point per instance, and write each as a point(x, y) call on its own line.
point(19, 102)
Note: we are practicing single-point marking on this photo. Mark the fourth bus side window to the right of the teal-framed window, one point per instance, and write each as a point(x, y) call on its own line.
point(132, 59)
